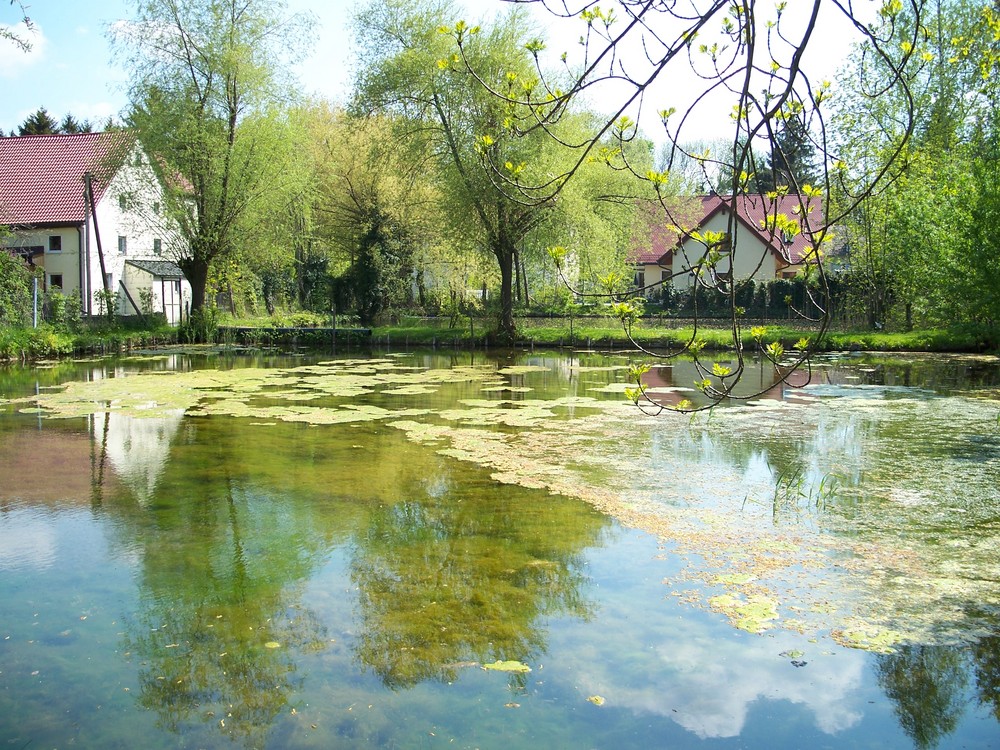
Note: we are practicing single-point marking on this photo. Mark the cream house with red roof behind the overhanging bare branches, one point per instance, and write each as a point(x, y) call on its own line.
point(717, 237)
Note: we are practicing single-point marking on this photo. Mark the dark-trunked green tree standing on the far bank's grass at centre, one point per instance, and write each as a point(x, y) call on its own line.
point(411, 70)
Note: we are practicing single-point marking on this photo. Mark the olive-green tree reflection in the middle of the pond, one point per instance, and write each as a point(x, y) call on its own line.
point(446, 584)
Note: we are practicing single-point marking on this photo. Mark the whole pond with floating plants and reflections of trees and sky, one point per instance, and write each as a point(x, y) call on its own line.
point(209, 550)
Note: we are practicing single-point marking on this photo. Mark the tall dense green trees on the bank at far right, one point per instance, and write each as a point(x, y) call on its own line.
point(919, 244)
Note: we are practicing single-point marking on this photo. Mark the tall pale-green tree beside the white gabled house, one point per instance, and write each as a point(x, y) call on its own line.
point(206, 92)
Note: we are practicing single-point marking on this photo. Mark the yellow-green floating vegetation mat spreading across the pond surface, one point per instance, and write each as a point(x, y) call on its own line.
point(855, 516)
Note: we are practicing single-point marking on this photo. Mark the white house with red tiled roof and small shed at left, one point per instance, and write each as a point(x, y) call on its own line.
point(87, 208)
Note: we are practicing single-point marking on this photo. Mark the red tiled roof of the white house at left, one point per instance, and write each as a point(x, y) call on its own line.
point(41, 176)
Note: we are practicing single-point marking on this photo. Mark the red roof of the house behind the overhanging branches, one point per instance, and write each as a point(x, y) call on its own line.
point(755, 211)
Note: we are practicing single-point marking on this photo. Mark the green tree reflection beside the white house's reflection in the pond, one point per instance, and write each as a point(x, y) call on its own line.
point(224, 553)
